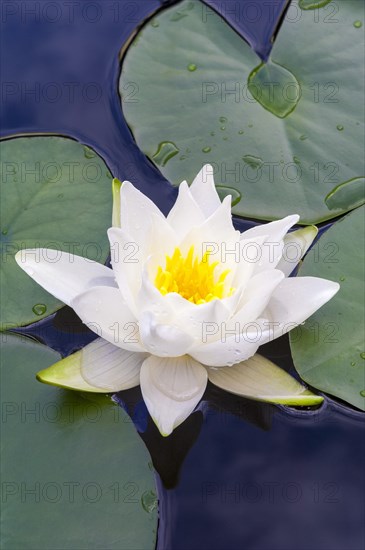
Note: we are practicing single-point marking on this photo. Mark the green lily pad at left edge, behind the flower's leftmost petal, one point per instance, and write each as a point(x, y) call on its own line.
point(55, 194)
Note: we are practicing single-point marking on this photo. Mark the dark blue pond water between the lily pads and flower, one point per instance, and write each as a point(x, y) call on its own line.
point(237, 474)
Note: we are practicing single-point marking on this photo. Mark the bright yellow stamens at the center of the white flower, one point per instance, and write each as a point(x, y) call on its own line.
point(194, 279)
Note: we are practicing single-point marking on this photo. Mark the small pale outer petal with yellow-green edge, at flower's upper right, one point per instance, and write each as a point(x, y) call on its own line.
point(296, 245)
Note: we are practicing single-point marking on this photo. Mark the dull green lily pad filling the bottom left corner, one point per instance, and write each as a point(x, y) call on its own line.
point(75, 473)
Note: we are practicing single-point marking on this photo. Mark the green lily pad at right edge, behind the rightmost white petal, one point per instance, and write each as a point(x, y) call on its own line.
point(328, 350)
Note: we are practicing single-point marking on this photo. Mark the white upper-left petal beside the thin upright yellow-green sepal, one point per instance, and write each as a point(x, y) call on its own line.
point(136, 212)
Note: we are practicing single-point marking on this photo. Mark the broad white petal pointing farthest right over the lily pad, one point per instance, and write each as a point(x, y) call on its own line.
point(296, 299)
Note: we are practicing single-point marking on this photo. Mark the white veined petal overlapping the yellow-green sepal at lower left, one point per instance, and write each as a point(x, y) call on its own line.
point(109, 367)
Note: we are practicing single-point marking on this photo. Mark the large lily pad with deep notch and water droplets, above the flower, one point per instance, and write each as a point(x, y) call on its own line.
point(282, 134)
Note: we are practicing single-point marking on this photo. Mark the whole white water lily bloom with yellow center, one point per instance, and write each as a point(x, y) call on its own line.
point(187, 297)
